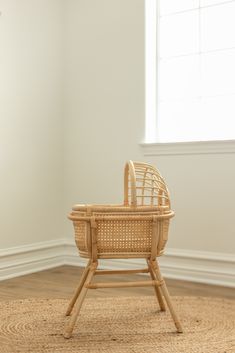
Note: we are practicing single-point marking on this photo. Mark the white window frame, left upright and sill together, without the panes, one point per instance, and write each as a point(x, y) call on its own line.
point(151, 145)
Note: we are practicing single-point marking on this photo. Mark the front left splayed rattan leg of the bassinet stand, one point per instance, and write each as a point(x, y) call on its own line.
point(69, 329)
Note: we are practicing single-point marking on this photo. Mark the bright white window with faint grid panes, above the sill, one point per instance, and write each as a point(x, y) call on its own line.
point(190, 70)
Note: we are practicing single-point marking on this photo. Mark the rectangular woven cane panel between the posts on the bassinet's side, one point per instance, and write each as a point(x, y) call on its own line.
point(124, 236)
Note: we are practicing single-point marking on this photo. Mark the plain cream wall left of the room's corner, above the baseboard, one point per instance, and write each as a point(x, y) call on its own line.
point(31, 179)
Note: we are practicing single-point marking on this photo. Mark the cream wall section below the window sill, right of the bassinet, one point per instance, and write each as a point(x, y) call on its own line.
point(203, 192)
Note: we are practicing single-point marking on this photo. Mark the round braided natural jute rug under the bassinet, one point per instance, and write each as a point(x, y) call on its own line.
point(118, 325)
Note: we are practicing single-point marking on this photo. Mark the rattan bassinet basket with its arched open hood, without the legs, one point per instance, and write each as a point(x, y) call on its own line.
point(126, 231)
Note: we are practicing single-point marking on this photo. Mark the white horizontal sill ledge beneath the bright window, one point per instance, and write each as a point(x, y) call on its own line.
point(183, 148)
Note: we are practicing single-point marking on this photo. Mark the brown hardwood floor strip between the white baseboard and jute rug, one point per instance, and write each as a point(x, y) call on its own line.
point(60, 282)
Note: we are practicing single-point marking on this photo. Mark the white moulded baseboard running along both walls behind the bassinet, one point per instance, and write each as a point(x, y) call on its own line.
point(189, 265)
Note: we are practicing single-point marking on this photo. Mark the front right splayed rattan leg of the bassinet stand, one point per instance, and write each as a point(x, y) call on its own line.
point(166, 296)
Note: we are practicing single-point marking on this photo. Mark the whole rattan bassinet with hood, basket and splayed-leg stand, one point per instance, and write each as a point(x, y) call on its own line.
point(136, 229)
